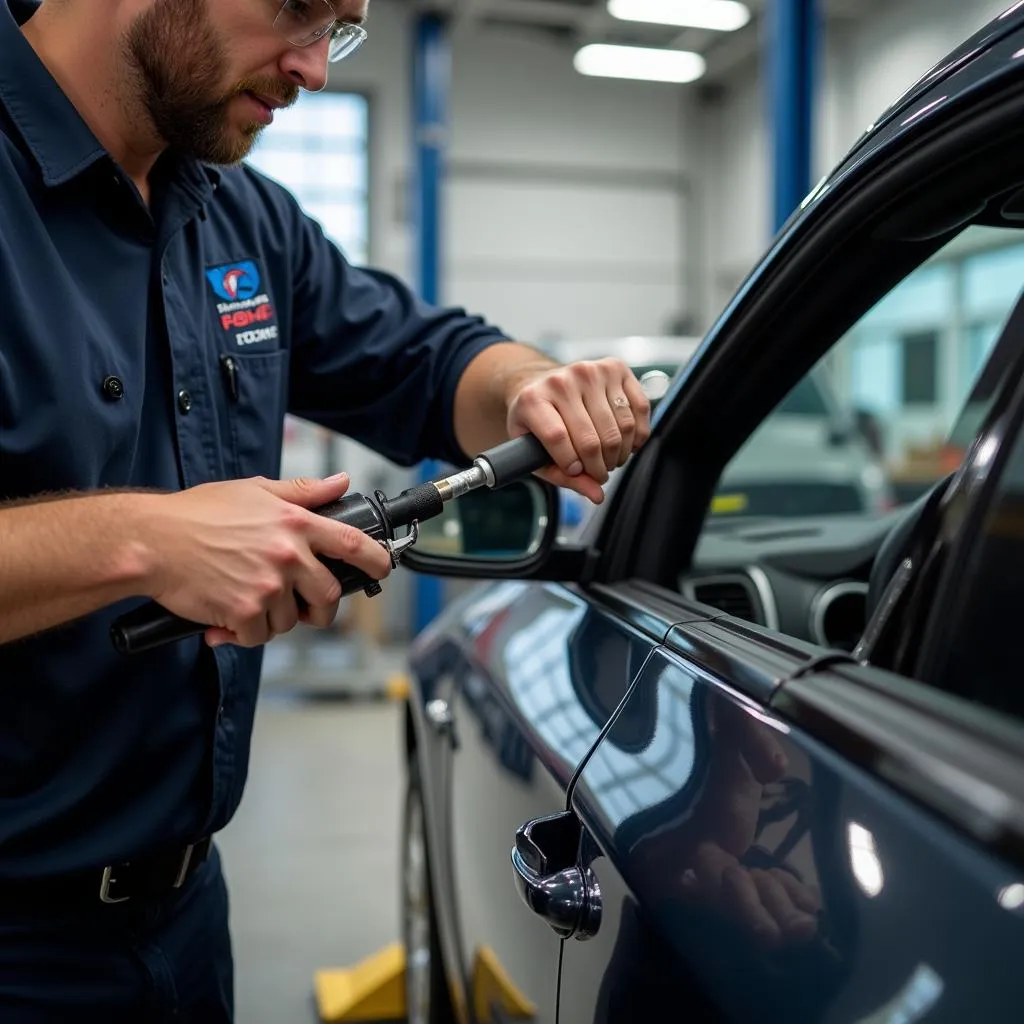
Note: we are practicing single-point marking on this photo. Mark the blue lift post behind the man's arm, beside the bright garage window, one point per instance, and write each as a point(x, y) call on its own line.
point(432, 82)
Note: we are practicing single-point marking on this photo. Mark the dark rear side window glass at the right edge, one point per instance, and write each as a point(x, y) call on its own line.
point(984, 662)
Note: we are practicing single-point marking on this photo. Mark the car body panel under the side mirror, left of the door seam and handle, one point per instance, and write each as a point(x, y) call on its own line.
point(525, 696)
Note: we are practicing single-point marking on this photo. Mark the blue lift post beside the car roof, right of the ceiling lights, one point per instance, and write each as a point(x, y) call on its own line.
point(793, 59)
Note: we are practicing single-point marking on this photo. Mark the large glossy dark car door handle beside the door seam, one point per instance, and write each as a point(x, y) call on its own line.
point(549, 880)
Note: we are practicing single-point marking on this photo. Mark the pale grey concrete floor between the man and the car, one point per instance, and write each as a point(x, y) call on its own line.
point(312, 858)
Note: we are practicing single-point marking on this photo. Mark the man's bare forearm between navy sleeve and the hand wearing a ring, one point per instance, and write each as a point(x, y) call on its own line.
point(485, 392)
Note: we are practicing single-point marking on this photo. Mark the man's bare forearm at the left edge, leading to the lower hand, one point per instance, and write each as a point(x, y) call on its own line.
point(61, 560)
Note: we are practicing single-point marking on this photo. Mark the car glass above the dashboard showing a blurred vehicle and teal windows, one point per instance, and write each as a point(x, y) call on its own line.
point(871, 428)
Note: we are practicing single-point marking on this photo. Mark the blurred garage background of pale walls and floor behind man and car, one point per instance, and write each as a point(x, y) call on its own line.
point(463, 151)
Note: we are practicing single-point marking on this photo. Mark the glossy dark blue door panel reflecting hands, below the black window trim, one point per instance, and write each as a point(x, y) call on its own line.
point(702, 807)
